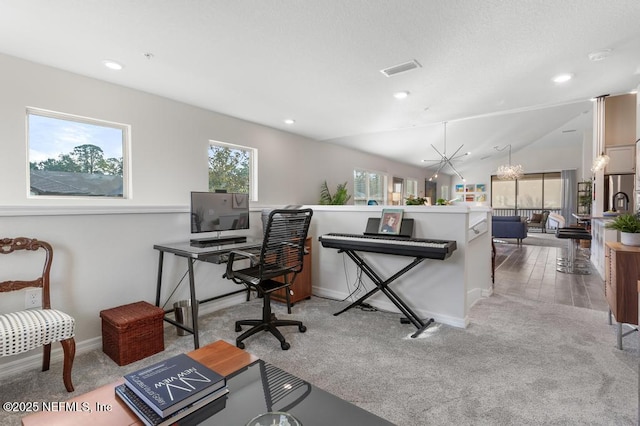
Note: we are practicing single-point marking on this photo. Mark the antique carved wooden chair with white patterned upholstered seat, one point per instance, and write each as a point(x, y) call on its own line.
point(28, 329)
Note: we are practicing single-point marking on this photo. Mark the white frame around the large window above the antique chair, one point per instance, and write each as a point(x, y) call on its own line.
point(126, 152)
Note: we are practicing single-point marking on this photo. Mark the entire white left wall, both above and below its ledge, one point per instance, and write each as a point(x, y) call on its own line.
point(103, 249)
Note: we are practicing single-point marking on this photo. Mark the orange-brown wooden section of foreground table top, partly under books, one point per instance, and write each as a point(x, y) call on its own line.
point(219, 356)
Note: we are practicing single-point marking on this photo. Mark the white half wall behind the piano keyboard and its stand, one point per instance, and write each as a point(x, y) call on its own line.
point(440, 289)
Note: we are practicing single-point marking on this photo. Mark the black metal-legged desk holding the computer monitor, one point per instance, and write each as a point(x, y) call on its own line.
point(214, 253)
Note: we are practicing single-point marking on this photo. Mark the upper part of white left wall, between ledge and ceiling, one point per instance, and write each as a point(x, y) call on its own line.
point(169, 142)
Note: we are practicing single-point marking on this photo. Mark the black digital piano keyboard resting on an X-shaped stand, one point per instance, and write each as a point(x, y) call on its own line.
point(418, 247)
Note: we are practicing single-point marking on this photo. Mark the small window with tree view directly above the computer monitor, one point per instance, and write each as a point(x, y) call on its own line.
point(233, 168)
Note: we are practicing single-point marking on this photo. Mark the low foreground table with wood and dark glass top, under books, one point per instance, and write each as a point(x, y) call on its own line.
point(255, 387)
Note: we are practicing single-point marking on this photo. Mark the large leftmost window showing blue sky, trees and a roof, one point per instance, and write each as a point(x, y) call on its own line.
point(75, 156)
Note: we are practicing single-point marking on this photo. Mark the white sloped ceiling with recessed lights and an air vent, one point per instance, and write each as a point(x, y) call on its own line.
point(486, 66)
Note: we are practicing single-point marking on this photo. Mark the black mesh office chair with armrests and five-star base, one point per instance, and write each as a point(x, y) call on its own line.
point(276, 266)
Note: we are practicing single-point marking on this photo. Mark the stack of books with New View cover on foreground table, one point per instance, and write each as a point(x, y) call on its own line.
point(167, 391)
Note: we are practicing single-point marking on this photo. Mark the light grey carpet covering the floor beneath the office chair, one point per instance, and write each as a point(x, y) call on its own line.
point(520, 362)
